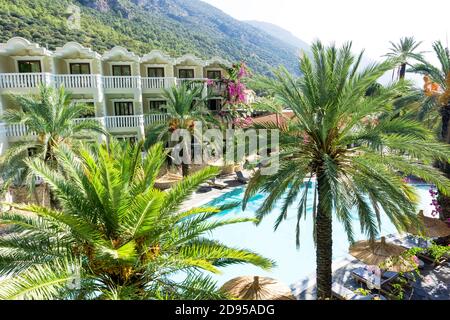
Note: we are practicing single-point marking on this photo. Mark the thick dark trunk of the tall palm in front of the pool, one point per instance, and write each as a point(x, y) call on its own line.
point(324, 244)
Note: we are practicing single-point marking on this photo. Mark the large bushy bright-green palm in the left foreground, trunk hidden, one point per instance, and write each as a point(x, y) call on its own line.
point(116, 236)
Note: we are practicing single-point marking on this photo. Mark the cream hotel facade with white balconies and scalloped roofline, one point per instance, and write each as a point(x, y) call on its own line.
point(124, 88)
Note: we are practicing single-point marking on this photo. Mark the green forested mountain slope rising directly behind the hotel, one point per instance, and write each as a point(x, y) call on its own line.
point(174, 26)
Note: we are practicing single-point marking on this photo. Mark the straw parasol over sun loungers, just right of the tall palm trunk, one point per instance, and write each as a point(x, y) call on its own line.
point(381, 253)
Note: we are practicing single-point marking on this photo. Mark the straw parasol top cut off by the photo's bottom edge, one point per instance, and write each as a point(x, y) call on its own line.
point(257, 288)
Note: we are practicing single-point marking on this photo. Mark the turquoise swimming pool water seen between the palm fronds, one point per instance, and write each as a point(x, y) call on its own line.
point(292, 264)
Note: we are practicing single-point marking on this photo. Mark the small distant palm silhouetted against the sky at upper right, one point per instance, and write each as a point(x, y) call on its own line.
point(404, 51)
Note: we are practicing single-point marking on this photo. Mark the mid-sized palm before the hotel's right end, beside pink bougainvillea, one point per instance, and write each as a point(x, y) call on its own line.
point(185, 106)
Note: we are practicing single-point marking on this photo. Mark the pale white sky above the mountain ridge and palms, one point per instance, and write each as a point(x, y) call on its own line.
point(368, 24)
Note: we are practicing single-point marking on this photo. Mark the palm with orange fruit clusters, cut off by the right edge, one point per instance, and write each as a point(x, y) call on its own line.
point(437, 102)
